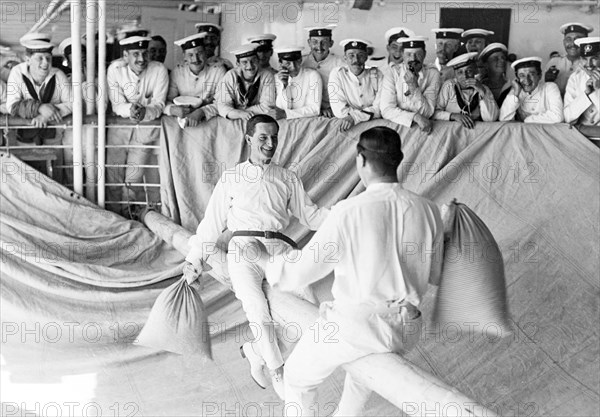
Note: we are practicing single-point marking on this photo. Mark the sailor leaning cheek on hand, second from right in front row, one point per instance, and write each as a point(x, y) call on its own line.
point(530, 99)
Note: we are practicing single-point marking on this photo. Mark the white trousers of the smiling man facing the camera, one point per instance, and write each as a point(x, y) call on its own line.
point(247, 280)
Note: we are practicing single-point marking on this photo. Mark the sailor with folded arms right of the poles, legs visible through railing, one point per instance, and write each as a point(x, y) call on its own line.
point(137, 89)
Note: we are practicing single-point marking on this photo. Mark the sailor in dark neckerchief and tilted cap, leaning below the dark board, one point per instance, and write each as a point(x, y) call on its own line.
point(464, 99)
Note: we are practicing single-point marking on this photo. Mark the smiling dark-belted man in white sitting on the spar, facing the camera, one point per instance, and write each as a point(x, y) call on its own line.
point(255, 201)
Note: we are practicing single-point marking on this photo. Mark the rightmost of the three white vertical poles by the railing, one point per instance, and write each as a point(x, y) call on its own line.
point(102, 99)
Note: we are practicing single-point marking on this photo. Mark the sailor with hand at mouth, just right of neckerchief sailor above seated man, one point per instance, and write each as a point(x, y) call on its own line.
point(299, 90)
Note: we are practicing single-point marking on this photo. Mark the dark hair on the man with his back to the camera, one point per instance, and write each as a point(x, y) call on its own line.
point(381, 146)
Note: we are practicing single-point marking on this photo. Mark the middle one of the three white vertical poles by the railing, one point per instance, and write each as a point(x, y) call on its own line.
point(90, 96)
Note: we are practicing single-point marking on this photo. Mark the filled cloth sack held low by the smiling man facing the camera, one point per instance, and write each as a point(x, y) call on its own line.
point(178, 322)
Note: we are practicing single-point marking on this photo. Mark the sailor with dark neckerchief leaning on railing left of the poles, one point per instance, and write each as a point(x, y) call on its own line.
point(41, 93)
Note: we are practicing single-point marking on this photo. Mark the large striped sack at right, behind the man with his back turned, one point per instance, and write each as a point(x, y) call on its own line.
point(472, 288)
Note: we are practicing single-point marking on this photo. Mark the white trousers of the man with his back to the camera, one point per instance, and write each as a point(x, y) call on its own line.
point(322, 350)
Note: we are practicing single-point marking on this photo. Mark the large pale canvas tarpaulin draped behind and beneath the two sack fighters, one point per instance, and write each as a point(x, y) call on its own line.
point(536, 188)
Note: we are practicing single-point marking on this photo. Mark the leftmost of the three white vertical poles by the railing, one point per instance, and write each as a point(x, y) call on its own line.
point(77, 97)
